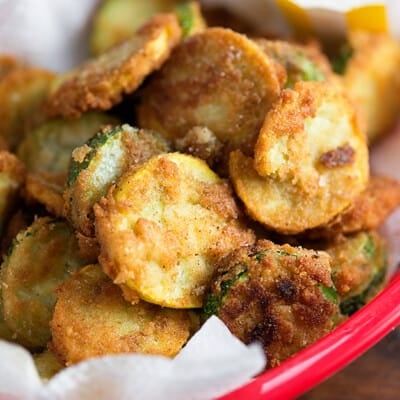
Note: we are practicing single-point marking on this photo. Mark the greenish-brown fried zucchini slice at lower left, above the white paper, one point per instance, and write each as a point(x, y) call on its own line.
point(39, 260)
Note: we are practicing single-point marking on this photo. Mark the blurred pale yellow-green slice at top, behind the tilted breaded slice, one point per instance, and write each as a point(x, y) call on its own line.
point(118, 20)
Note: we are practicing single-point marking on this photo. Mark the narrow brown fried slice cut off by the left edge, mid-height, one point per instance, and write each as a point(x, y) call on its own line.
point(12, 177)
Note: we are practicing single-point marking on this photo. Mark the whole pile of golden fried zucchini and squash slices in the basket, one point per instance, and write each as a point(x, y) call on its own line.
point(185, 171)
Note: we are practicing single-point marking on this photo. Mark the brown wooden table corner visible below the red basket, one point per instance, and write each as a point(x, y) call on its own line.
point(374, 376)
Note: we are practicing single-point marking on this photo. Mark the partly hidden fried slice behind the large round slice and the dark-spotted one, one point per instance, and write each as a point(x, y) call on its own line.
point(297, 63)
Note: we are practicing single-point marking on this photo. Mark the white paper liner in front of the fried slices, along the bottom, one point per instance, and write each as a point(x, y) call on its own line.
point(212, 363)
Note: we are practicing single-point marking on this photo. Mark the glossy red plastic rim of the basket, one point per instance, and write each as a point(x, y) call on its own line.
point(325, 357)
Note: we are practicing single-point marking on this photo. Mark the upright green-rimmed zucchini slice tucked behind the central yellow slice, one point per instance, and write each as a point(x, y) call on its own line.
point(96, 165)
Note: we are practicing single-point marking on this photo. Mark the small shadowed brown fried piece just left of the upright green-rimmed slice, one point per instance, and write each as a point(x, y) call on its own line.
point(46, 188)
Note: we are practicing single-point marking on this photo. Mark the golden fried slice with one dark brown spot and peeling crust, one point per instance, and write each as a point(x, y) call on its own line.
point(311, 160)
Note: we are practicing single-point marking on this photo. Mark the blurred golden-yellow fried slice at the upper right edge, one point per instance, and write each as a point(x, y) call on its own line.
point(369, 64)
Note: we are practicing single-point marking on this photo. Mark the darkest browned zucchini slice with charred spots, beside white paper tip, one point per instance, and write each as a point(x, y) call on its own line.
point(280, 296)
